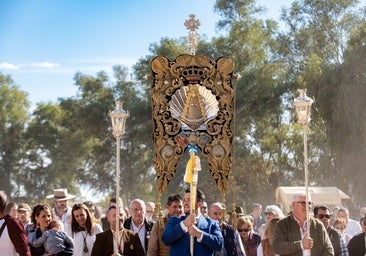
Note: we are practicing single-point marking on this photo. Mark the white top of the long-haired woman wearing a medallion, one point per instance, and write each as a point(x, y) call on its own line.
point(78, 238)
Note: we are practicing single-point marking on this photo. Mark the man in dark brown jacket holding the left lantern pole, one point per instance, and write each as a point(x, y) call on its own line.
point(128, 242)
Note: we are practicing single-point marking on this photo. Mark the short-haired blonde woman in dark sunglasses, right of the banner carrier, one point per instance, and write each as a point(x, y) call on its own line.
point(249, 238)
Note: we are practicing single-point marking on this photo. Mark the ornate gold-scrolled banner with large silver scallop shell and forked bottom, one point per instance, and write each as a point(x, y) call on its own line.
point(193, 106)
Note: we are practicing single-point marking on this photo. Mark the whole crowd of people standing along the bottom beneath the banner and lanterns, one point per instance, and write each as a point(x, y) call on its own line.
point(81, 229)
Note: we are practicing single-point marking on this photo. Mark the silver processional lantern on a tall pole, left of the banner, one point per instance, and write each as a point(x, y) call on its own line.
point(118, 117)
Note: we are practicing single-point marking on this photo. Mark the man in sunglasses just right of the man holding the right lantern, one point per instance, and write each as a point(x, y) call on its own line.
point(322, 213)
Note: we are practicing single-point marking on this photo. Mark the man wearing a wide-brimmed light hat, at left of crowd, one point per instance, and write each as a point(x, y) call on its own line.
point(62, 211)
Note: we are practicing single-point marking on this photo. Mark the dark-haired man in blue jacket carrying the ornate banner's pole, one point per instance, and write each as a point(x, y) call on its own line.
point(206, 233)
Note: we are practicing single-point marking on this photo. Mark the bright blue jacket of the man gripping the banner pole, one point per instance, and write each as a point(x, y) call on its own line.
point(179, 241)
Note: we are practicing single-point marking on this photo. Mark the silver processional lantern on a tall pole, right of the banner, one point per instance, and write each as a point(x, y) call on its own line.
point(302, 106)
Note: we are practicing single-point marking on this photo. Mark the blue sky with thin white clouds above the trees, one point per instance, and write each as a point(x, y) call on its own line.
point(44, 43)
